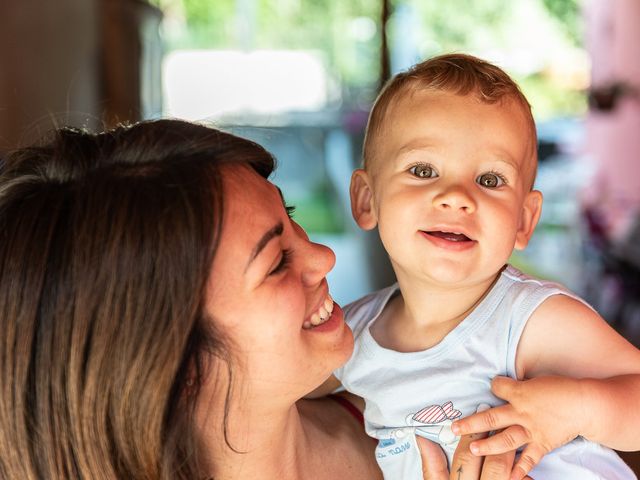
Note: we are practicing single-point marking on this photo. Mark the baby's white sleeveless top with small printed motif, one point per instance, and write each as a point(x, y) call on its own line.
point(421, 393)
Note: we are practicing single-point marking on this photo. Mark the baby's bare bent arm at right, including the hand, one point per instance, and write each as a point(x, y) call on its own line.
point(583, 379)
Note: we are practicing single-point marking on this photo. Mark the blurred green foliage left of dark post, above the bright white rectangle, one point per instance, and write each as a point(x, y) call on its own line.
point(322, 25)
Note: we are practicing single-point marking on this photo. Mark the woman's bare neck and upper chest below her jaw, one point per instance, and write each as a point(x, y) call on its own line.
point(317, 436)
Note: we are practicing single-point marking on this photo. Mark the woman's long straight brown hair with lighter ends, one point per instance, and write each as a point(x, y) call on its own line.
point(106, 242)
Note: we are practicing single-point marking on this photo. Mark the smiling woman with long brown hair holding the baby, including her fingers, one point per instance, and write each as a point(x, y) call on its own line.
point(162, 317)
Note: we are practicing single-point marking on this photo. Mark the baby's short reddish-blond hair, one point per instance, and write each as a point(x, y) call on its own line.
point(456, 73)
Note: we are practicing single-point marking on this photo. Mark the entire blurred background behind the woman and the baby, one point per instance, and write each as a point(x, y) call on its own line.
point(299, 76)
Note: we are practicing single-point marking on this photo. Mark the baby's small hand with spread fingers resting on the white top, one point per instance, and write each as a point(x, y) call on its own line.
point(541, 413)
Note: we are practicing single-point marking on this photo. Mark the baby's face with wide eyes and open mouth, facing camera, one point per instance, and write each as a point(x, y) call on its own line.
point(450, 186)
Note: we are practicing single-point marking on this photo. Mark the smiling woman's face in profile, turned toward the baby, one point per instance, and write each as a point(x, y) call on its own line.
point(266, 291)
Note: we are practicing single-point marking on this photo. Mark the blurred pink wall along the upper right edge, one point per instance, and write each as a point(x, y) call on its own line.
point(613, 133)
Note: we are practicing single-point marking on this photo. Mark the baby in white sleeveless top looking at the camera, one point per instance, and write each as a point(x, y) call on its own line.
point(449, 166)
